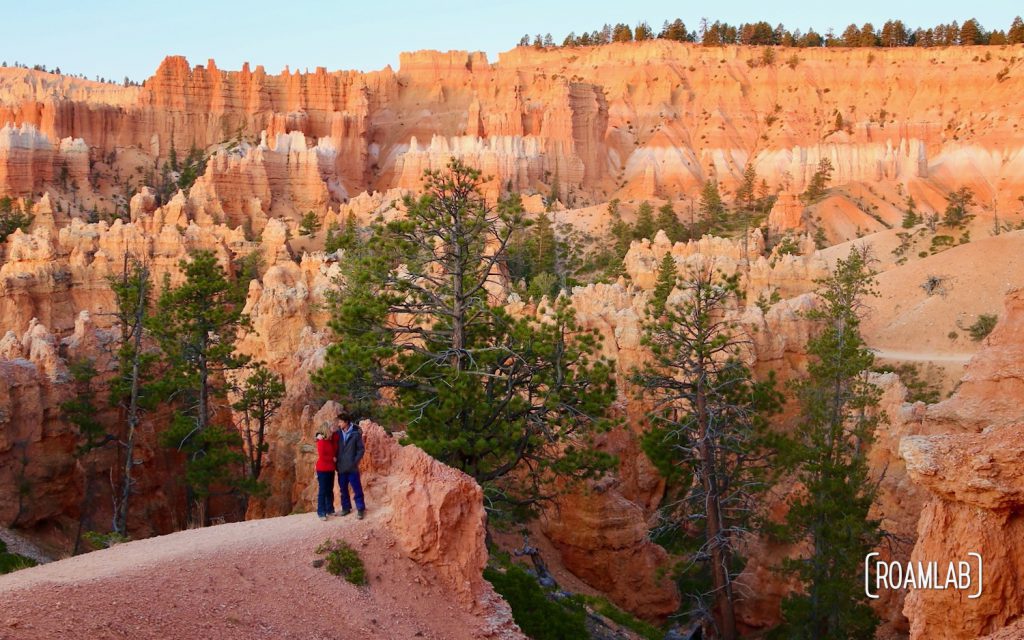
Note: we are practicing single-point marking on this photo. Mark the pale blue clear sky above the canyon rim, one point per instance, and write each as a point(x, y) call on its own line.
point(117, 39)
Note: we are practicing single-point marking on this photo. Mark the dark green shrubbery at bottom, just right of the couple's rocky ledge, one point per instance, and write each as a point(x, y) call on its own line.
point(538, 616)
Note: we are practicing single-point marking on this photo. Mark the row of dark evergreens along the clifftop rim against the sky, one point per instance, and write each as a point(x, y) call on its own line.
point(893, 33)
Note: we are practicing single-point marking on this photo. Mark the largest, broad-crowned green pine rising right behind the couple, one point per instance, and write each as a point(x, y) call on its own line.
point(514, 402)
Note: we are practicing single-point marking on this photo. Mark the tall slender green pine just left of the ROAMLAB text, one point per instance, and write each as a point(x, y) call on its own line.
point(839, 413)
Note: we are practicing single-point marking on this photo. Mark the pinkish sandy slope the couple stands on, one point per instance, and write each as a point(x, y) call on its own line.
point(245, 580)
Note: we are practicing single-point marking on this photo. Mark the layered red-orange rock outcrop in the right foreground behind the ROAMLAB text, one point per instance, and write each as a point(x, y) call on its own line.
point(976, 486)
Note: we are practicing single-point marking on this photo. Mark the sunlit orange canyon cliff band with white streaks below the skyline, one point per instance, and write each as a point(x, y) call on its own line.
point(629, 120)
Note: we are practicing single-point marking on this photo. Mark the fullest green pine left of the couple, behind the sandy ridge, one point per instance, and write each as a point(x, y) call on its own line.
point(196, 326)
